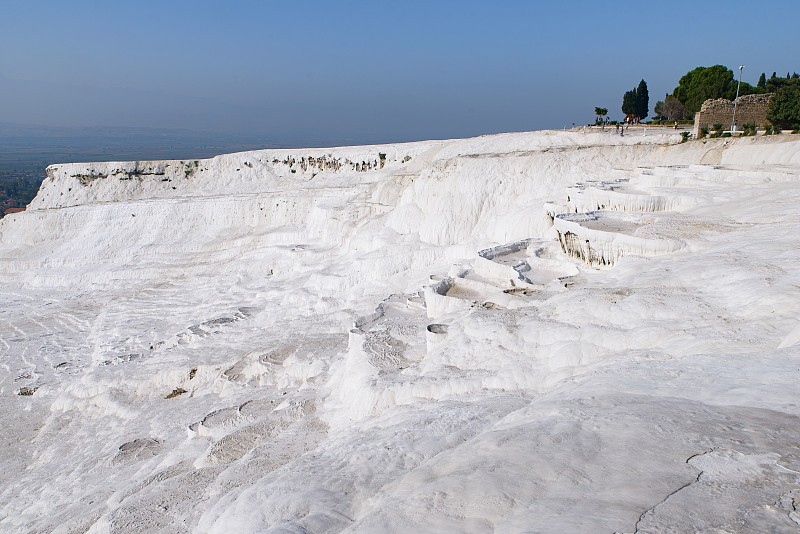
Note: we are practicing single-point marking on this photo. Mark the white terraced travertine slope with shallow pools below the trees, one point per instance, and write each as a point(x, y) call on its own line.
point(283, 341)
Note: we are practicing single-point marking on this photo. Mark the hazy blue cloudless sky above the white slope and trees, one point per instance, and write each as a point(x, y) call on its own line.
point(368, 70)
